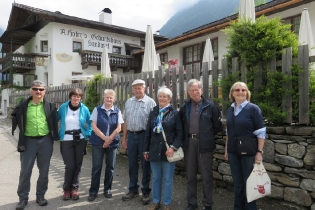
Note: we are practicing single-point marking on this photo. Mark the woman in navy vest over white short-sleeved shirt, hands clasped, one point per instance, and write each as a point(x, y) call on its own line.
point(106, 125)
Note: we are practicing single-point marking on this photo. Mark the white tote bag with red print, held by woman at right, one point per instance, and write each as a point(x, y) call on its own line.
point(258, 183)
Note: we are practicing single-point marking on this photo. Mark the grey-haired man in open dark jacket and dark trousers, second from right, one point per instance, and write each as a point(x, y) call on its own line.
point(201, 120)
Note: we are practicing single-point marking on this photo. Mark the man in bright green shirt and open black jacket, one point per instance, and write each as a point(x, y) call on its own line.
point(37, 122)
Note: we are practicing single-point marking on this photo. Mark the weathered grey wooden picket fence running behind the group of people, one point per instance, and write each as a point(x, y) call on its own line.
point(123, 89)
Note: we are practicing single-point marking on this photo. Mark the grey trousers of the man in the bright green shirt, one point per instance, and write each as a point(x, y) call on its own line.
point(41, 150)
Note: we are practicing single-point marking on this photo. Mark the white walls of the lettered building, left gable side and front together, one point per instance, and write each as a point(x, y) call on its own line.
point(60, 38)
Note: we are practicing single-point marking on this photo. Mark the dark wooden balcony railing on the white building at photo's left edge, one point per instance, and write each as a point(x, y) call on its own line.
point(19, 62)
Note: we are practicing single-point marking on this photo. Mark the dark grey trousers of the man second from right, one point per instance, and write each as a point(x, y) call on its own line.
point(193, 158)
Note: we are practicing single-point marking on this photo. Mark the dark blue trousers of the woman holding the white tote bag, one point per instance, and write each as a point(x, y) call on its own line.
point(241, 167)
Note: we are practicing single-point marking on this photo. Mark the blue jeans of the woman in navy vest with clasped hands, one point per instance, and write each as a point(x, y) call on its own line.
point(97, 163)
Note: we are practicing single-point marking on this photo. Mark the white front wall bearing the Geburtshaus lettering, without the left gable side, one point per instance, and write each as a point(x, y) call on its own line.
point(92, 40)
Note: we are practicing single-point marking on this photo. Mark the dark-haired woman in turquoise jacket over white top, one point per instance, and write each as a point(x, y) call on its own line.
point(75, 129)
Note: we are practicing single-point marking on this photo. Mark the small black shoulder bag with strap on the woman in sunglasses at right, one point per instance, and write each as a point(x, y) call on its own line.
point(245, 145)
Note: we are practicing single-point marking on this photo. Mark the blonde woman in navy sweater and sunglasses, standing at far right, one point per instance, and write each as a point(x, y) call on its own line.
point(245, 119)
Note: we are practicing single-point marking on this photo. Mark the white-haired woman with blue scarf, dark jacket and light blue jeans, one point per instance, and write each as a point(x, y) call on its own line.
point(165, 118)
